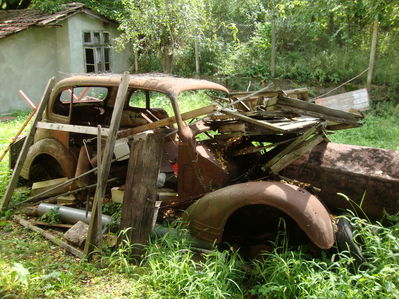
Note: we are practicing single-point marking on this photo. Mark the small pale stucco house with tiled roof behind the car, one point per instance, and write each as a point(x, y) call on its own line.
point(35, 46)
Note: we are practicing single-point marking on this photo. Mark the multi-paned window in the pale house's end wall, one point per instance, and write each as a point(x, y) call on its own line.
point(97, 51)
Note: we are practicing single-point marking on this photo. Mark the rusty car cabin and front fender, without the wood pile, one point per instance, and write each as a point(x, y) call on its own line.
point(216, 181)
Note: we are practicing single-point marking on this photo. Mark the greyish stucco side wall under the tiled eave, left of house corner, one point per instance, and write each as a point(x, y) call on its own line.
point(26, 63)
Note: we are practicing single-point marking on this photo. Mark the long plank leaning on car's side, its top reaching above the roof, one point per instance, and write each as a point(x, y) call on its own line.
point(121, 98)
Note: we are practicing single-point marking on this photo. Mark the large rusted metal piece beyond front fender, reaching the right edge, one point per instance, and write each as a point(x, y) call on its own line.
point(366, 175)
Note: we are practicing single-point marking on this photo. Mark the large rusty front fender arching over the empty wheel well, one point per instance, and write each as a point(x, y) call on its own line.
point(207, 217)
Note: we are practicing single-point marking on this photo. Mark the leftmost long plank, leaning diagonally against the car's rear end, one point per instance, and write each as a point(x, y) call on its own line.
point(25, 148)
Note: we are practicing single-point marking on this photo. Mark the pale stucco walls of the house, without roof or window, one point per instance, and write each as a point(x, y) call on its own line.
point(29, 58)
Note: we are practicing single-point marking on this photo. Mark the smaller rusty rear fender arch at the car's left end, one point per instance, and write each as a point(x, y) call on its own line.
point(56, 150)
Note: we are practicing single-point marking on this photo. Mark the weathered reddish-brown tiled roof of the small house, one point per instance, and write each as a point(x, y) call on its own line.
point(13, 21)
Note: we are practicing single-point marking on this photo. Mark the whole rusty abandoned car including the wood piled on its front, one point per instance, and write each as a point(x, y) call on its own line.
point(230, 170)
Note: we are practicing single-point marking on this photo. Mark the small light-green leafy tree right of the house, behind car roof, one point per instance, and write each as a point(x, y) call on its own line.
point(163, 26)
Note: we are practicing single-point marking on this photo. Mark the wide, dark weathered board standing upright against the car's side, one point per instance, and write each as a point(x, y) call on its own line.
point(141, 190)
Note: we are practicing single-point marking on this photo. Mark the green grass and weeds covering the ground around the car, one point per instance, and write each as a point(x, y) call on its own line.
point(31, 267)
